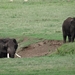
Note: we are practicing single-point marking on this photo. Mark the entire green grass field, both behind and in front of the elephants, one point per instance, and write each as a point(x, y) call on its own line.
point(36, 19)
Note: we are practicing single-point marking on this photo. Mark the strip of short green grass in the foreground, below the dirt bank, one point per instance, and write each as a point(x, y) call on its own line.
point(54, 65)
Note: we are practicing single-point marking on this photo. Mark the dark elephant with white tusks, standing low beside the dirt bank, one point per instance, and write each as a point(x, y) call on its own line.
point(8, 47)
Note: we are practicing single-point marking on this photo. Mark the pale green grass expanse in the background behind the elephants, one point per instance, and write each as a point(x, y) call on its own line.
point(36, 18)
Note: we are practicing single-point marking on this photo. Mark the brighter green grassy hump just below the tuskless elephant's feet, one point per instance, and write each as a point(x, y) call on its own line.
point(68, 48)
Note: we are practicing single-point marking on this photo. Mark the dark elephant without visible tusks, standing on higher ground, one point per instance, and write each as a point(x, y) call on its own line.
point(68, 29)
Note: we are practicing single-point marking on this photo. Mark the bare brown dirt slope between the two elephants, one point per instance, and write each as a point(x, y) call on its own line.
point(39, 49)
